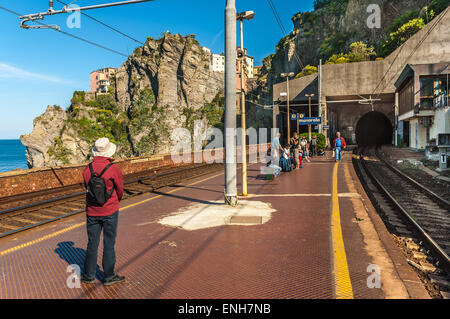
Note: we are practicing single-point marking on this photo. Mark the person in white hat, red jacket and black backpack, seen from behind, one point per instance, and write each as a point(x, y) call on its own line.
point(104, 183)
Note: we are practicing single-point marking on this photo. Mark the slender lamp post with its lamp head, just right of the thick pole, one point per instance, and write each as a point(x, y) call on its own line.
point(247, 15)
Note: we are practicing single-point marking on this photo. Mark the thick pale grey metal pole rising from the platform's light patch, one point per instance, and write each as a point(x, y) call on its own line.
point(230, 103)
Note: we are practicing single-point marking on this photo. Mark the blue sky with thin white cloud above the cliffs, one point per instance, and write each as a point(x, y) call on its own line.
point(43, 67)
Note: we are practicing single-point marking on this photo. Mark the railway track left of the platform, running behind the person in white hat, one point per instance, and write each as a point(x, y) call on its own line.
point(27, 211)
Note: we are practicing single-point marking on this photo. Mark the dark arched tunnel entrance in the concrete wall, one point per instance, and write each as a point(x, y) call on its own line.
point(374, 128)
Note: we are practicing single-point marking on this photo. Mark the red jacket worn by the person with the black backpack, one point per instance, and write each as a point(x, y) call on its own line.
point(112, 205)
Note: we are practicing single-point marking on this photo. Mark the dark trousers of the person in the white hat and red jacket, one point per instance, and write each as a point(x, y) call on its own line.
point(94, 229)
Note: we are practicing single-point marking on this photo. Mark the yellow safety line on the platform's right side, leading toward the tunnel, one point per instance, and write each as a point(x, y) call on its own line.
point(343, 285)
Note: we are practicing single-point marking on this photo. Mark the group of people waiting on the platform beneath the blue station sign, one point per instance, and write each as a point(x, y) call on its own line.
point(291, 156)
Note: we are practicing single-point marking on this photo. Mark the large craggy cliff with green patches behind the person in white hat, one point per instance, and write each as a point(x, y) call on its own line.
point(165, 84)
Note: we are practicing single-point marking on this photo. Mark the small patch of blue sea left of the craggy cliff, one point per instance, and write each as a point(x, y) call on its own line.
point(12, 155)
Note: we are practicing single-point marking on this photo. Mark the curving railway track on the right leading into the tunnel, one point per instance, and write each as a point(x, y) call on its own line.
point(418, 218)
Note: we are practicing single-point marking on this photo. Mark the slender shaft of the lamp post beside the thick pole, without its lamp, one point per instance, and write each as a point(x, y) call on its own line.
point(243, 124)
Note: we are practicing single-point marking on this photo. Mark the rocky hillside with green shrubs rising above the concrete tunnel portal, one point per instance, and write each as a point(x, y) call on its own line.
point(327, 30)
